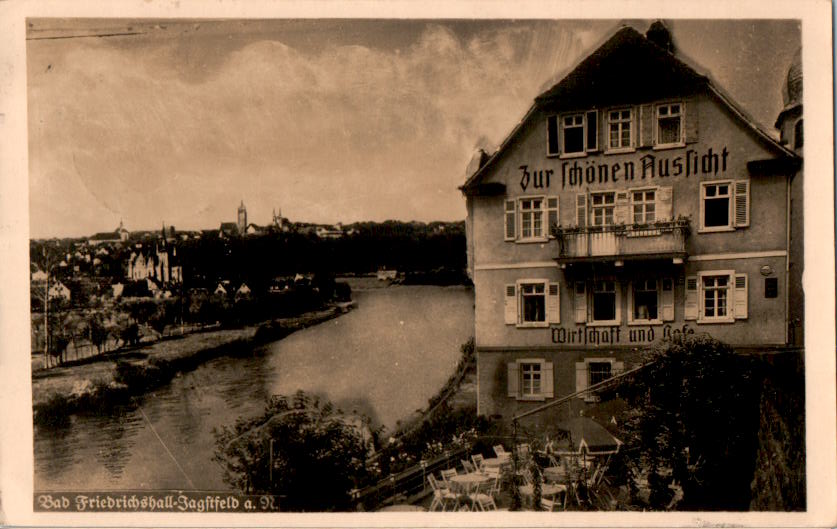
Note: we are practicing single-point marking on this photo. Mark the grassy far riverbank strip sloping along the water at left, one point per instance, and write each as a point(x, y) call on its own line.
point(115, 377)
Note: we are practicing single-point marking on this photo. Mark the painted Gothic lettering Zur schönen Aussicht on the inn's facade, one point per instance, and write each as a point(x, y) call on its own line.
point(576, 173)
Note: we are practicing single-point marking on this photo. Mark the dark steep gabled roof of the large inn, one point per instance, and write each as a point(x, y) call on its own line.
point(598, 80)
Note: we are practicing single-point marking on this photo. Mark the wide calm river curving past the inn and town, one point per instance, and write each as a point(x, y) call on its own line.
point(385, 359)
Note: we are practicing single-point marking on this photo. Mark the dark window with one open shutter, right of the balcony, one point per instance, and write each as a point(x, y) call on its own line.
point(724, 205)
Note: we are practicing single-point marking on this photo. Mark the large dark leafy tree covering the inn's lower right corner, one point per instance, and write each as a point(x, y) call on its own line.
point(692, 423)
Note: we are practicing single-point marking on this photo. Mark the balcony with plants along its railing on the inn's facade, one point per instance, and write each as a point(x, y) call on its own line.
point(658, 240)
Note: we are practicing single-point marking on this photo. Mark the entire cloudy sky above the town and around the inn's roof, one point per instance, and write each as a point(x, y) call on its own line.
point(178, 121)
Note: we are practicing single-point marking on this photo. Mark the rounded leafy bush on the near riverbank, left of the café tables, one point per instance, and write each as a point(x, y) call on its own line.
point(318, 454)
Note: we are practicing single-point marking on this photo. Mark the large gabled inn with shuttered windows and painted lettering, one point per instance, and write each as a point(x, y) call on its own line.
point(635, 201)
